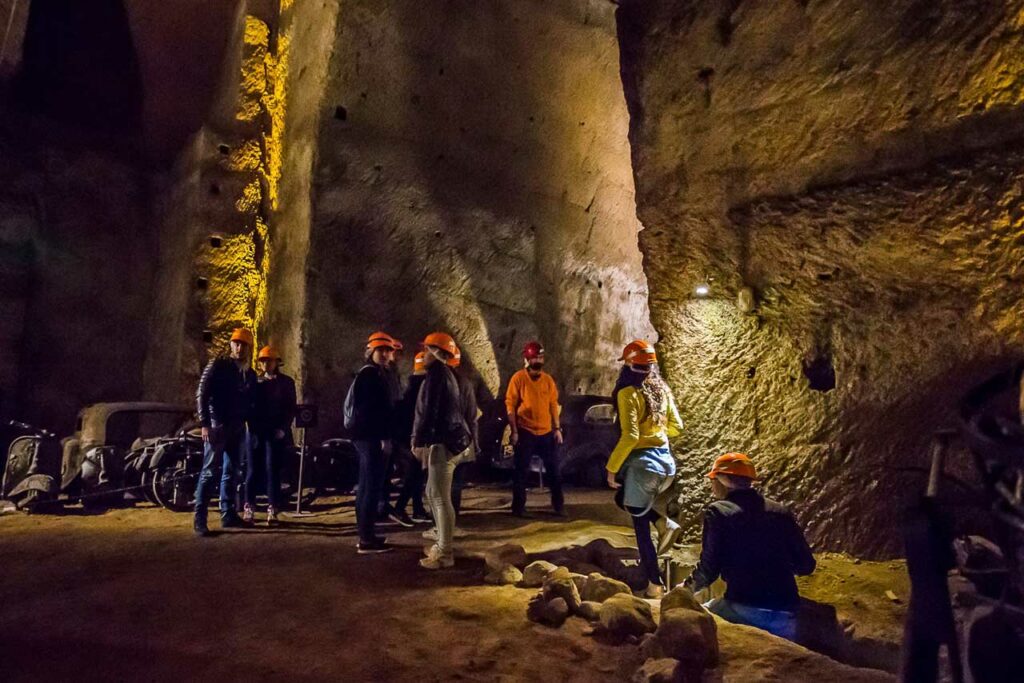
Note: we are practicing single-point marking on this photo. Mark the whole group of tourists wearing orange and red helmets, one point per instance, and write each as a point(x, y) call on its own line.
point(430, 426)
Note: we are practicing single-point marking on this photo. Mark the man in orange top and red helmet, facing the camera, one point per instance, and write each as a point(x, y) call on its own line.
point(532, 402)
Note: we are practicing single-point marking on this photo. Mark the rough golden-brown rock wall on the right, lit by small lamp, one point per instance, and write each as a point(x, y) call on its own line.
point(859, 285)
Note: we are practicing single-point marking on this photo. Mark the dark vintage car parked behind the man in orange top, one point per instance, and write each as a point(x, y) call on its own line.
point(588, 428)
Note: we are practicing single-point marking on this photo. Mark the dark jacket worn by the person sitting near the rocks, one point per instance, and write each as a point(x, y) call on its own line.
point(756, 546)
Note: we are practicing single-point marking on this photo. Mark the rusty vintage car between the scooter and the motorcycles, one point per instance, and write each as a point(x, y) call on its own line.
point(100, 460)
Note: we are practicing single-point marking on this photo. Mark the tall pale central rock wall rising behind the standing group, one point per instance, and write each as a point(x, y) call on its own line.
point(474, 176)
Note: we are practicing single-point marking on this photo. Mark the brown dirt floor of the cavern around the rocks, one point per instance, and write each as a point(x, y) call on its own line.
point(133, 595)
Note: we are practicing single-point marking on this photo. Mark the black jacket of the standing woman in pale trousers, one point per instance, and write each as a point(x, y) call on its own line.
point(439, 412)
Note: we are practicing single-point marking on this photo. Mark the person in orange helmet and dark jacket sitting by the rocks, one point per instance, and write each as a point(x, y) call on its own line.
point(756, 546)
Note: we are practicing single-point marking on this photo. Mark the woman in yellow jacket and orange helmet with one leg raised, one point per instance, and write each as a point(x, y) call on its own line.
point(642, 464)
